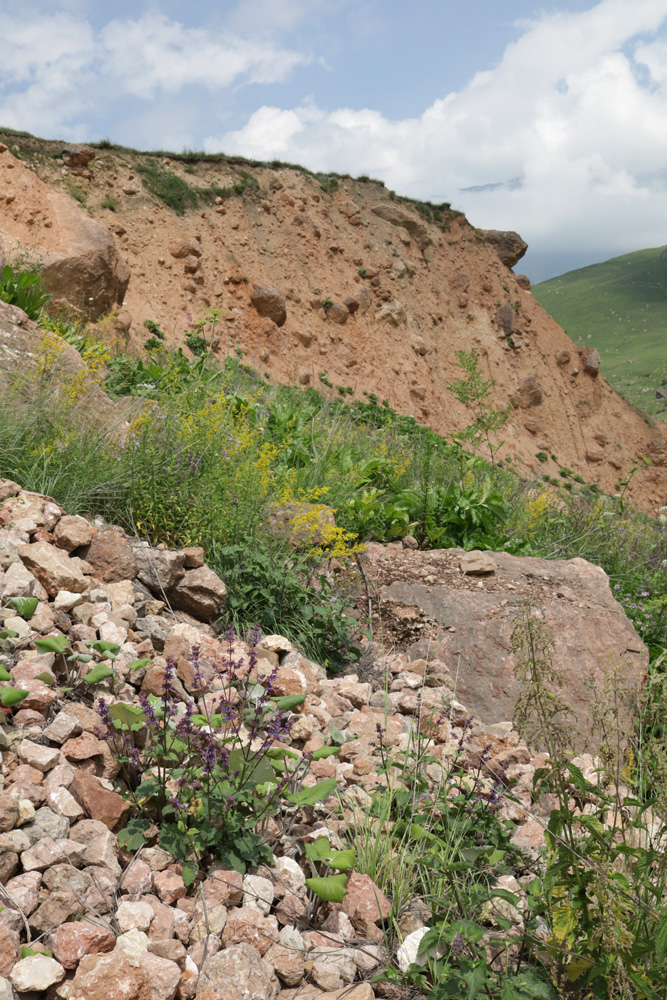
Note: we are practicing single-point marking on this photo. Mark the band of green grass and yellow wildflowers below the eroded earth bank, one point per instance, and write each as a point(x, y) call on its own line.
point(197, 450)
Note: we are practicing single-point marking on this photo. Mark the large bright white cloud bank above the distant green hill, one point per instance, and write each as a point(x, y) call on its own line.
point(576, 108)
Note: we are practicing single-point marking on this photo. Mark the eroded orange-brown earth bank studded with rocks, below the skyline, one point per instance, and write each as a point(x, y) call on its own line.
point(328, 276)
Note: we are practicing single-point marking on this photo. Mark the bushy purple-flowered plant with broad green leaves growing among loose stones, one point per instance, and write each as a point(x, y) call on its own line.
point(212, 771)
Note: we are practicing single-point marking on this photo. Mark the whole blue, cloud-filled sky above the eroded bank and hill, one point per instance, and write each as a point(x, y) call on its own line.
point(550, 119)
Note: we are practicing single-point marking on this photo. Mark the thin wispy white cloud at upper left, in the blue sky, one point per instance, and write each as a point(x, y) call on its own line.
point(55, 68)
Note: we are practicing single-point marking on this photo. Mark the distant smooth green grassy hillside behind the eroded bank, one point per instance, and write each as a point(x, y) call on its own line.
point(620, 308)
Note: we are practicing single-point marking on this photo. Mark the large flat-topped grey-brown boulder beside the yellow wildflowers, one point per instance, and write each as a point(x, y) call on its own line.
point(432, 609)
